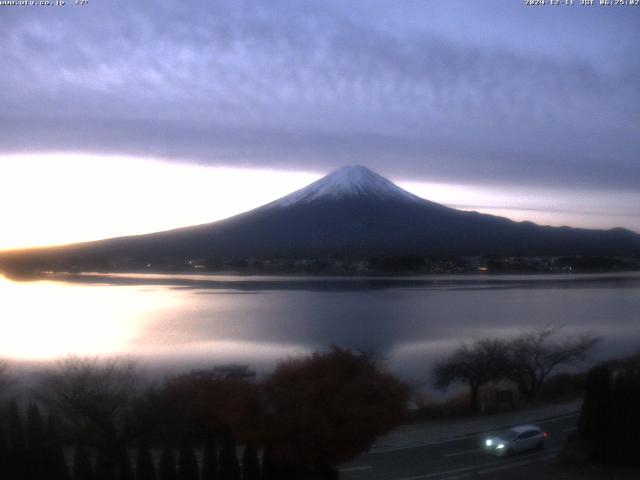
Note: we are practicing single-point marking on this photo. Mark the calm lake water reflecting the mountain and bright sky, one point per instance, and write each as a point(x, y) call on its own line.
point(195, 320)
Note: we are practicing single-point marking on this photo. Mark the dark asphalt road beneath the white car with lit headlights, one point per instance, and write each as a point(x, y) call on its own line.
point(461, 459)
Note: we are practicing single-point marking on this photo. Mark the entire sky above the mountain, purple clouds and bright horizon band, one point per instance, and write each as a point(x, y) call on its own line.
point(128, 117)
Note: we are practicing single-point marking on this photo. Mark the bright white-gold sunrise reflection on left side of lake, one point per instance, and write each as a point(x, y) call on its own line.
point(81, 320)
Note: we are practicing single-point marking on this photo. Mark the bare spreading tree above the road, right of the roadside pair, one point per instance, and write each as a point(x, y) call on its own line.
point(534, 355)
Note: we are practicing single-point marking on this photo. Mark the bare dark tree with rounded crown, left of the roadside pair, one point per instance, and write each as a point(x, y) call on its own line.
point(474, 365)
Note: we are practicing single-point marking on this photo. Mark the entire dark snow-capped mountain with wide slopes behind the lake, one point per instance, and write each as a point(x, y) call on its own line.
point(351, 213)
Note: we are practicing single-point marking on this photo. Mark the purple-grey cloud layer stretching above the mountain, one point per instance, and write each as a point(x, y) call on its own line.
point(487, 94)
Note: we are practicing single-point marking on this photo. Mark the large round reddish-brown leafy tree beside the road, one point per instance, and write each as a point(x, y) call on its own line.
point(329, 407)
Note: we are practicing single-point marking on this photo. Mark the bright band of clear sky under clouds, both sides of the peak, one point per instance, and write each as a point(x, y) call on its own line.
point(56, 199)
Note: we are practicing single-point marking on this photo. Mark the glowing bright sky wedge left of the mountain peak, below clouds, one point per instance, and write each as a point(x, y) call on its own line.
point(58, 199)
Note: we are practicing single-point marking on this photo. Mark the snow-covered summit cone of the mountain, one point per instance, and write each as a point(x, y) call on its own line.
point(349, 181)
